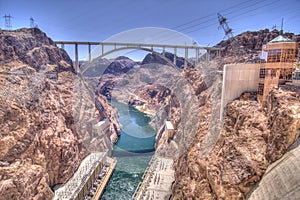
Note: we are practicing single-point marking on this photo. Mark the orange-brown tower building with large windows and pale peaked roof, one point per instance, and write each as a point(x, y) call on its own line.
point(281, 54)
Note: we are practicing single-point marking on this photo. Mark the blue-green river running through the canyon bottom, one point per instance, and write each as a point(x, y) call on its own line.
point(133, 150)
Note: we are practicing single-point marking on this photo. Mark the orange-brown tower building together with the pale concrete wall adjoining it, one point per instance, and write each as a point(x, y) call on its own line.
point(277, 67)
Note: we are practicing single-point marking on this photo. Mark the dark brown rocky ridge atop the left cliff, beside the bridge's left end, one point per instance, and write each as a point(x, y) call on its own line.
point(34, 48)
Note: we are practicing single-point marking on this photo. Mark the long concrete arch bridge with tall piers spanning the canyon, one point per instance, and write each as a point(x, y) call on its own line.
point(117, 46)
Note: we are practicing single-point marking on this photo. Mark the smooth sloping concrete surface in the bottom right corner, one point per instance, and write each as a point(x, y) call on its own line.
point(281, 180)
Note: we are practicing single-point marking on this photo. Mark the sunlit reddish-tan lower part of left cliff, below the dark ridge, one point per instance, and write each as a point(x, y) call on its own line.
point(39, 143)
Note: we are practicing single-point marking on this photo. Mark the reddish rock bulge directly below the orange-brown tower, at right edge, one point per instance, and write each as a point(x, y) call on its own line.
point(283, 119)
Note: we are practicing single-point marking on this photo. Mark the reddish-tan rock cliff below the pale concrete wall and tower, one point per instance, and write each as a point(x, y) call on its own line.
point(250, 140)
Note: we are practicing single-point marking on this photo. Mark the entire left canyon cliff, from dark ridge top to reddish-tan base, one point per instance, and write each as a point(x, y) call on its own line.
point(40, 143)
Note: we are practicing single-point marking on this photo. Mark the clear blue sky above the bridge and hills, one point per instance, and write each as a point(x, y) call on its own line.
point(97, 20)
